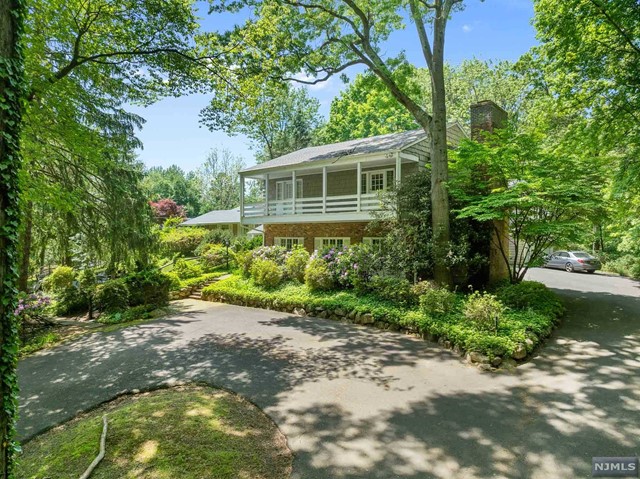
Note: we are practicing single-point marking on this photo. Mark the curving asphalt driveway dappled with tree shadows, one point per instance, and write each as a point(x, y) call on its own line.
point(355, 402)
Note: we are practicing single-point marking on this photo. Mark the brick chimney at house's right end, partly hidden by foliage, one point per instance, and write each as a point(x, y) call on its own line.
point(487, 116)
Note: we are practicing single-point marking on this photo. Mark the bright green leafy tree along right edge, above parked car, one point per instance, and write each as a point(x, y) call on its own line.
point(587, 67)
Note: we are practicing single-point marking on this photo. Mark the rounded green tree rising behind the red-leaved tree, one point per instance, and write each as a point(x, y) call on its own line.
point(173, 183)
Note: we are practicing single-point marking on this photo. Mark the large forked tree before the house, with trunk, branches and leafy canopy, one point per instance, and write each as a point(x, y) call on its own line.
point(325, 37)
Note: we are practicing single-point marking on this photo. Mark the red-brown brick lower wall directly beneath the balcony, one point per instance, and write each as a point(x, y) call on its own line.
point(310, 231)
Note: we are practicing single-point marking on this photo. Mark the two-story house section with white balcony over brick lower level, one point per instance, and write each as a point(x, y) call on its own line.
point(325, 195)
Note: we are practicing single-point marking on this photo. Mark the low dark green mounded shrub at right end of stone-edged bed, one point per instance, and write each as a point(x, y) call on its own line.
point(530, 295)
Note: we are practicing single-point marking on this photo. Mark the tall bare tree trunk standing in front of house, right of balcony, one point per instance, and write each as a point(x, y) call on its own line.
point(439, 160)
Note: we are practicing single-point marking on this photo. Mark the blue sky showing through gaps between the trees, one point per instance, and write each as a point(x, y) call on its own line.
point(490, 30)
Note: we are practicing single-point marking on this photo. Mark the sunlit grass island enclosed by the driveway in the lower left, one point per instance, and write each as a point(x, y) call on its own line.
point(187, 433)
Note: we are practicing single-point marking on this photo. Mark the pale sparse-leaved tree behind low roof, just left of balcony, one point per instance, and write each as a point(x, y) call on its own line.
point(219, 180)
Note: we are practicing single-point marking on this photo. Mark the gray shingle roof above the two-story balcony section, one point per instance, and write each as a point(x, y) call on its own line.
point(374, 144)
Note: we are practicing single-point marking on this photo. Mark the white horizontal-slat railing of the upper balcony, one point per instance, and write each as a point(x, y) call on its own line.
point(316, 205)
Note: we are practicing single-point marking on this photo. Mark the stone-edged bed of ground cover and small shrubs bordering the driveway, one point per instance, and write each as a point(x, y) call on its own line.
point(469, 323)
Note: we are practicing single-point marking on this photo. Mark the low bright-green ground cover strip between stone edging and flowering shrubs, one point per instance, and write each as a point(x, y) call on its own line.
point(518, 330)
